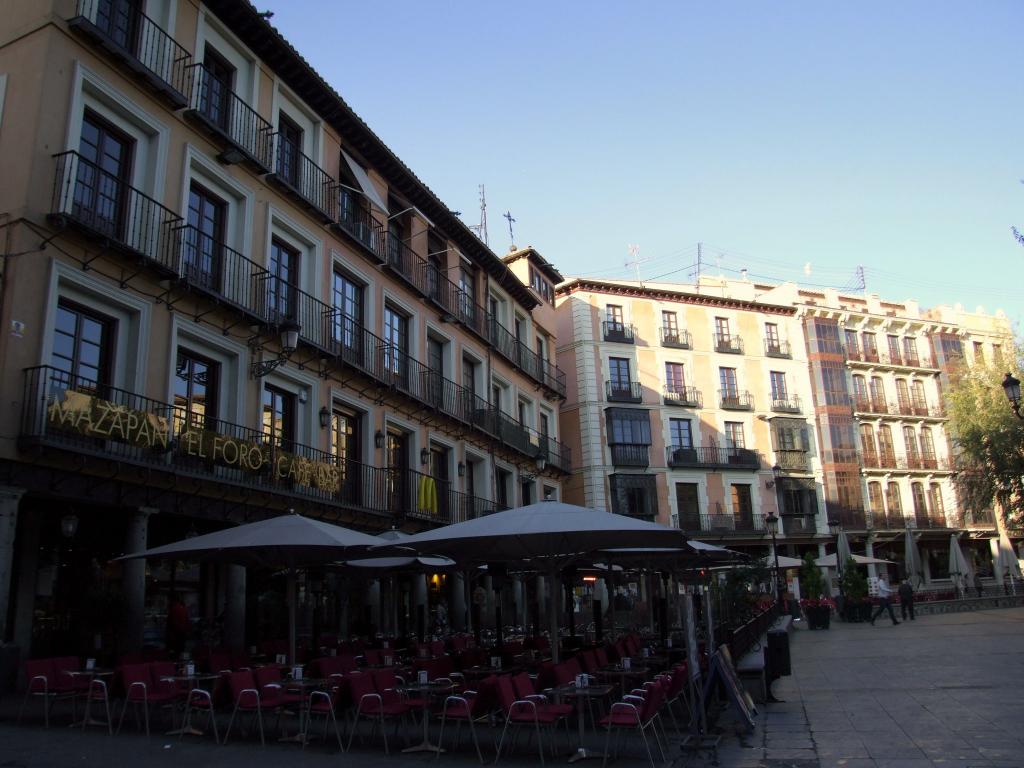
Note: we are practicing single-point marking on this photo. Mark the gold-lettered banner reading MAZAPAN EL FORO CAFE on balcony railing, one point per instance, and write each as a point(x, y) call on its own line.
point(94, 417)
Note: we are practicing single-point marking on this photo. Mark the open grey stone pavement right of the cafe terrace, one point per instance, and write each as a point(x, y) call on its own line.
point(945, 692)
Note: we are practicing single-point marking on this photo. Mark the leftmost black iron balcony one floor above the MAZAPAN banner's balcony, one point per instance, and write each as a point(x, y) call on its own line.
point(105, 208)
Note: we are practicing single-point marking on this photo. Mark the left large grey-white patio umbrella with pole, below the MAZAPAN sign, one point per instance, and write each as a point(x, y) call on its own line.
point(289, 541)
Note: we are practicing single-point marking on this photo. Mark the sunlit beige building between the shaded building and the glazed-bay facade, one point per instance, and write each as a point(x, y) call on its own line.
point(693, 409)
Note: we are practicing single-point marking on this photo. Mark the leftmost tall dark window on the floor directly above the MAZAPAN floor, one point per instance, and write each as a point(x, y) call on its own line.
point(101, 194)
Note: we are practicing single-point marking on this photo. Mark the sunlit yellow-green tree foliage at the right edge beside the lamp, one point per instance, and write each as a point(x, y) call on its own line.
point(989, 439)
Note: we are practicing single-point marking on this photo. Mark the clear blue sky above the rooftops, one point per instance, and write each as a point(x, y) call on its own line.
point(881, 135)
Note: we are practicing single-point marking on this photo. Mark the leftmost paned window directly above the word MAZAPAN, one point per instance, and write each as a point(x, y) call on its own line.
point(82, 344)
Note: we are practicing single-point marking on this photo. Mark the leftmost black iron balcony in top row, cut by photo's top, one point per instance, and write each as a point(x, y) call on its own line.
point(132, 38)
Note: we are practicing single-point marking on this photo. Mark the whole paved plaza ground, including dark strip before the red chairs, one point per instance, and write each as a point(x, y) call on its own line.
point(946, 692)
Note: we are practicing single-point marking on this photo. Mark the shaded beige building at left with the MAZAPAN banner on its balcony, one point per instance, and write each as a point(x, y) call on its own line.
point(225, 297)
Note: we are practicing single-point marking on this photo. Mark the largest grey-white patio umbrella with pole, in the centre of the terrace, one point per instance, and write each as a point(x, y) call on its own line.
point(548, 536)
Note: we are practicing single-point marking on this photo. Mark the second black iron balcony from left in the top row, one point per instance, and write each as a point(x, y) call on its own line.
point(244, 136)
